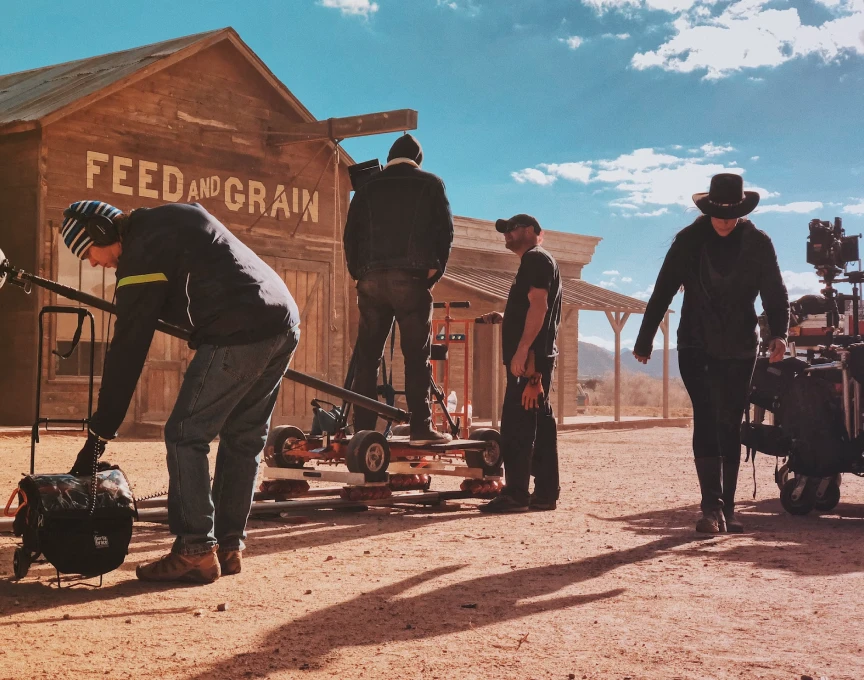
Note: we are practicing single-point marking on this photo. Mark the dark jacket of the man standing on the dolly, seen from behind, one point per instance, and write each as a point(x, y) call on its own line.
point(399, 219)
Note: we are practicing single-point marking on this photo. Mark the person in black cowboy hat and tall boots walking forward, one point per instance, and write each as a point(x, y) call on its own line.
point(722, 262)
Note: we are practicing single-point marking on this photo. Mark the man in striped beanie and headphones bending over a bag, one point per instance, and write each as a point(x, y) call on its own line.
point(179, 264)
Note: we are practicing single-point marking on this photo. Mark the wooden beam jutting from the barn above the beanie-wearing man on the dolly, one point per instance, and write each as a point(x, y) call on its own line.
point(399, 120)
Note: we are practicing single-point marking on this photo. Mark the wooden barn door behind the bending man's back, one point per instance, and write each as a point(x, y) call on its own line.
point(309, 283)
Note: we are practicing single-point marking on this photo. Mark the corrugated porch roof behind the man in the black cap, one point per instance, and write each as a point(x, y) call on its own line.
point(578, 293)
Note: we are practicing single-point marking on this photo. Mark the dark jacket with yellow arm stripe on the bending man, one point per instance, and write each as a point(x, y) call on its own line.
point(181, 265)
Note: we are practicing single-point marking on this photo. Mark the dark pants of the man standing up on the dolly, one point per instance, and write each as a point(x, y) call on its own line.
point(405, 296)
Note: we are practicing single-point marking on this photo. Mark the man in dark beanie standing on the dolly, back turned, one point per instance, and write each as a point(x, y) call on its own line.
point(397, 242)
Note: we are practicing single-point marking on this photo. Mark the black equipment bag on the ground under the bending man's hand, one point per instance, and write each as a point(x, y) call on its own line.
point(56, 519)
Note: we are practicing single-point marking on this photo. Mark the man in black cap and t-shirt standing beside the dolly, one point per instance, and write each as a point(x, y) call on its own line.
point(529, 435)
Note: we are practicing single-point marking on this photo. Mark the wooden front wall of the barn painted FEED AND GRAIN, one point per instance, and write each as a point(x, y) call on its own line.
point(198, 132)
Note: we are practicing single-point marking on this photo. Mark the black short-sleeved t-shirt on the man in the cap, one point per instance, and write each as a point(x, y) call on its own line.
point(538, 269)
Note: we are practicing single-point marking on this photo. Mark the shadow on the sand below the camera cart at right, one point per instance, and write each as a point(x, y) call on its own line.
point(813, 545)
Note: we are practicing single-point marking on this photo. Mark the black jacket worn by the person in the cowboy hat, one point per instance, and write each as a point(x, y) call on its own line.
point(718, 313)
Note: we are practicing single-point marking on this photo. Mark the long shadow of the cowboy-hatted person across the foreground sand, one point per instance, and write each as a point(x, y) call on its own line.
point(388, 616)
